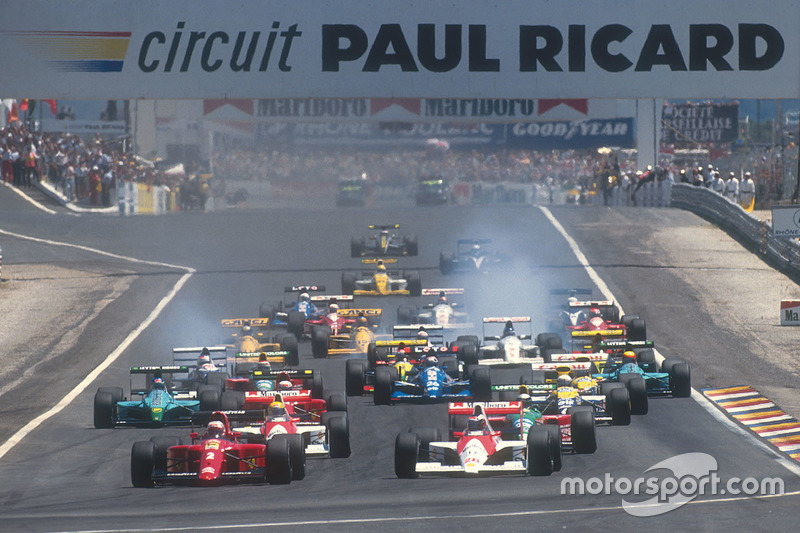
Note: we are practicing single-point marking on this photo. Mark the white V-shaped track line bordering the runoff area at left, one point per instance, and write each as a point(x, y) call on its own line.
point(113, 356)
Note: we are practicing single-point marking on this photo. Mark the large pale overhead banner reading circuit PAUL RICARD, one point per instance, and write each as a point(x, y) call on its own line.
point(84, 49)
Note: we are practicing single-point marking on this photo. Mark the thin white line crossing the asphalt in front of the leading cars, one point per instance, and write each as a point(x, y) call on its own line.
point(401, 519)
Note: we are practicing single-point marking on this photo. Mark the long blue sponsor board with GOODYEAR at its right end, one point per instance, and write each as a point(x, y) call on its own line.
point(547, 135)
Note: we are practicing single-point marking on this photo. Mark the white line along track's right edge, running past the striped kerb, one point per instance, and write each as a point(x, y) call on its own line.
point(704, 402)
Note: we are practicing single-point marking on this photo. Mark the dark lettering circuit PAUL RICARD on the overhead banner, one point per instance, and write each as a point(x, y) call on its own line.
point(444, 48)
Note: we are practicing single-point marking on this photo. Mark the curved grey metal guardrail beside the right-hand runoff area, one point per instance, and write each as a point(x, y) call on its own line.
point(783, 252)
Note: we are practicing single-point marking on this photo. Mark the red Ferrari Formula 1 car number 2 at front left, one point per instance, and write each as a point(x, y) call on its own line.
point(218, 456)
